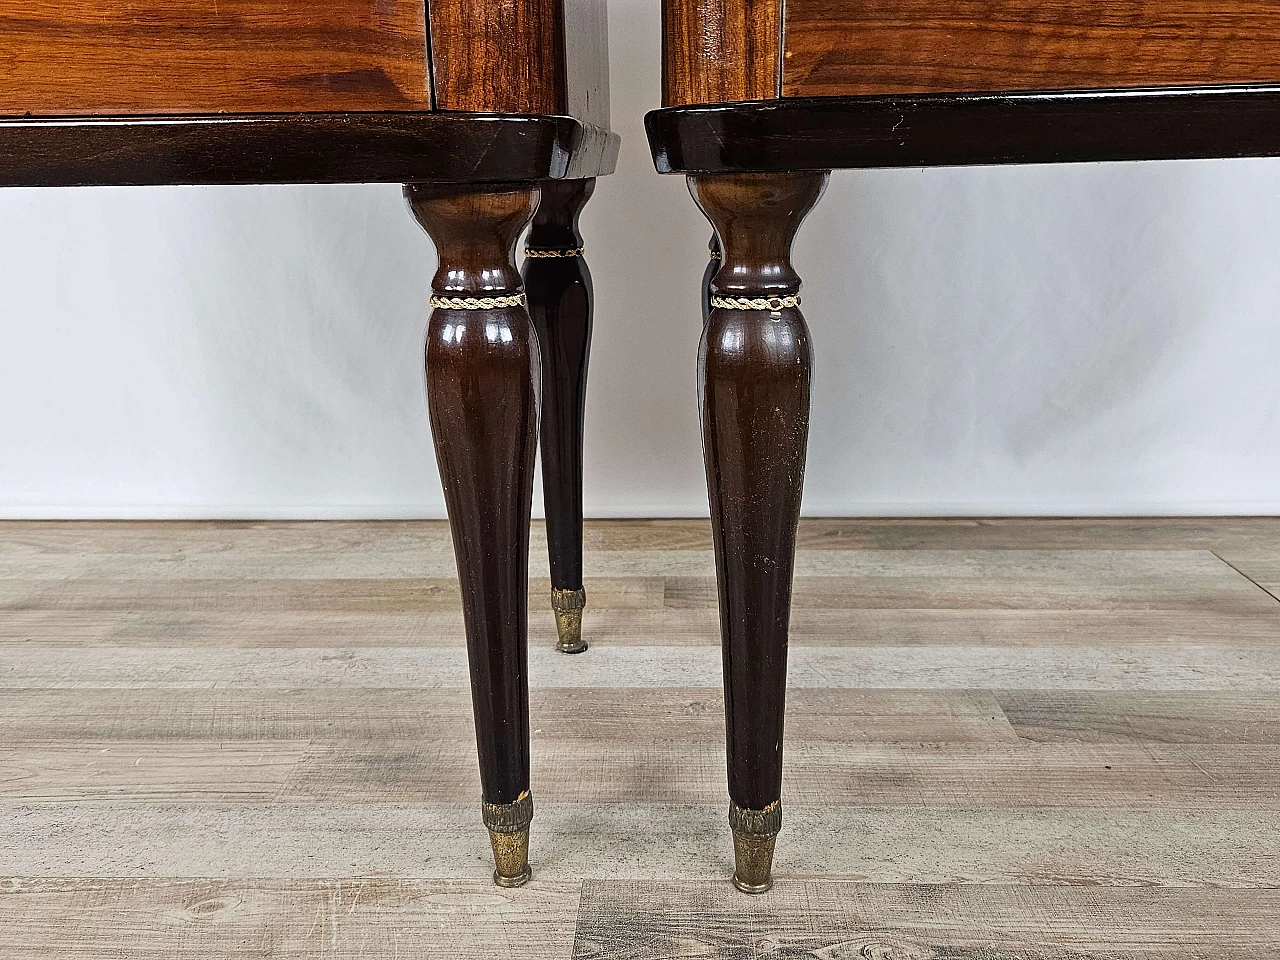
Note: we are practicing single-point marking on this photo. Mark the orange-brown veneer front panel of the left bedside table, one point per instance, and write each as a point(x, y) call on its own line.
point(157, 57)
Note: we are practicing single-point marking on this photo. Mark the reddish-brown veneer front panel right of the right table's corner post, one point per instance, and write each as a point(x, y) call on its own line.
point(845, 48)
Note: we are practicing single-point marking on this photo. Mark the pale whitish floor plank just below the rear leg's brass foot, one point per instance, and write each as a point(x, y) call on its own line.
point(1118, 668)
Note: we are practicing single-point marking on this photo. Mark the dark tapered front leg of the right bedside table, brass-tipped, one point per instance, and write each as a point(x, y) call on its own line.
point(755, 387)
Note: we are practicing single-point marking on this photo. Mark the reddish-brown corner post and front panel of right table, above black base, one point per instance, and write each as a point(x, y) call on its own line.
point(743, 51)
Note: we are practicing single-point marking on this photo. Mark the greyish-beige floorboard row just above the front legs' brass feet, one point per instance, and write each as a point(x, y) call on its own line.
point(941, 776)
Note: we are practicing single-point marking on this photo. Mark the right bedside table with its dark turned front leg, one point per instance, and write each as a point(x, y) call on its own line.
point(764, 98)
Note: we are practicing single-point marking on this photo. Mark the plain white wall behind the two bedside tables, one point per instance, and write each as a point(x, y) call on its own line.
point(1086, 340)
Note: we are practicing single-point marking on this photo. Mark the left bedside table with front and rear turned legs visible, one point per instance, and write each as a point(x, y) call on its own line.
point(493, 113)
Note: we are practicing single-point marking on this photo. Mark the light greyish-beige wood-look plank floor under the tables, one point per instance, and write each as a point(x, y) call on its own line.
point(1007, 740)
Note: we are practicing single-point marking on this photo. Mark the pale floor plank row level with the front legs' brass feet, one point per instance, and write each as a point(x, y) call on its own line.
point(639, 842)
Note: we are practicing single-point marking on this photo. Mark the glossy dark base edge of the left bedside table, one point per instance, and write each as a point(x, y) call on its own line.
point(349, 148)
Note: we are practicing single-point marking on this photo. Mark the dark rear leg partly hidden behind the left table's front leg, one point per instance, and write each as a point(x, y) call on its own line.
point(561, 304)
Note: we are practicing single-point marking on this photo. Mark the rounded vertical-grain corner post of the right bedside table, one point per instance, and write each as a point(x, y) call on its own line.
point(721, 51)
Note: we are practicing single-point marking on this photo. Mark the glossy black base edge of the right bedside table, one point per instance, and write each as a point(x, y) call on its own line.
point(961, 130)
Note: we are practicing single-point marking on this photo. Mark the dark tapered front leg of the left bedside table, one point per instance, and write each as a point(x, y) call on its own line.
point(482, 388)
